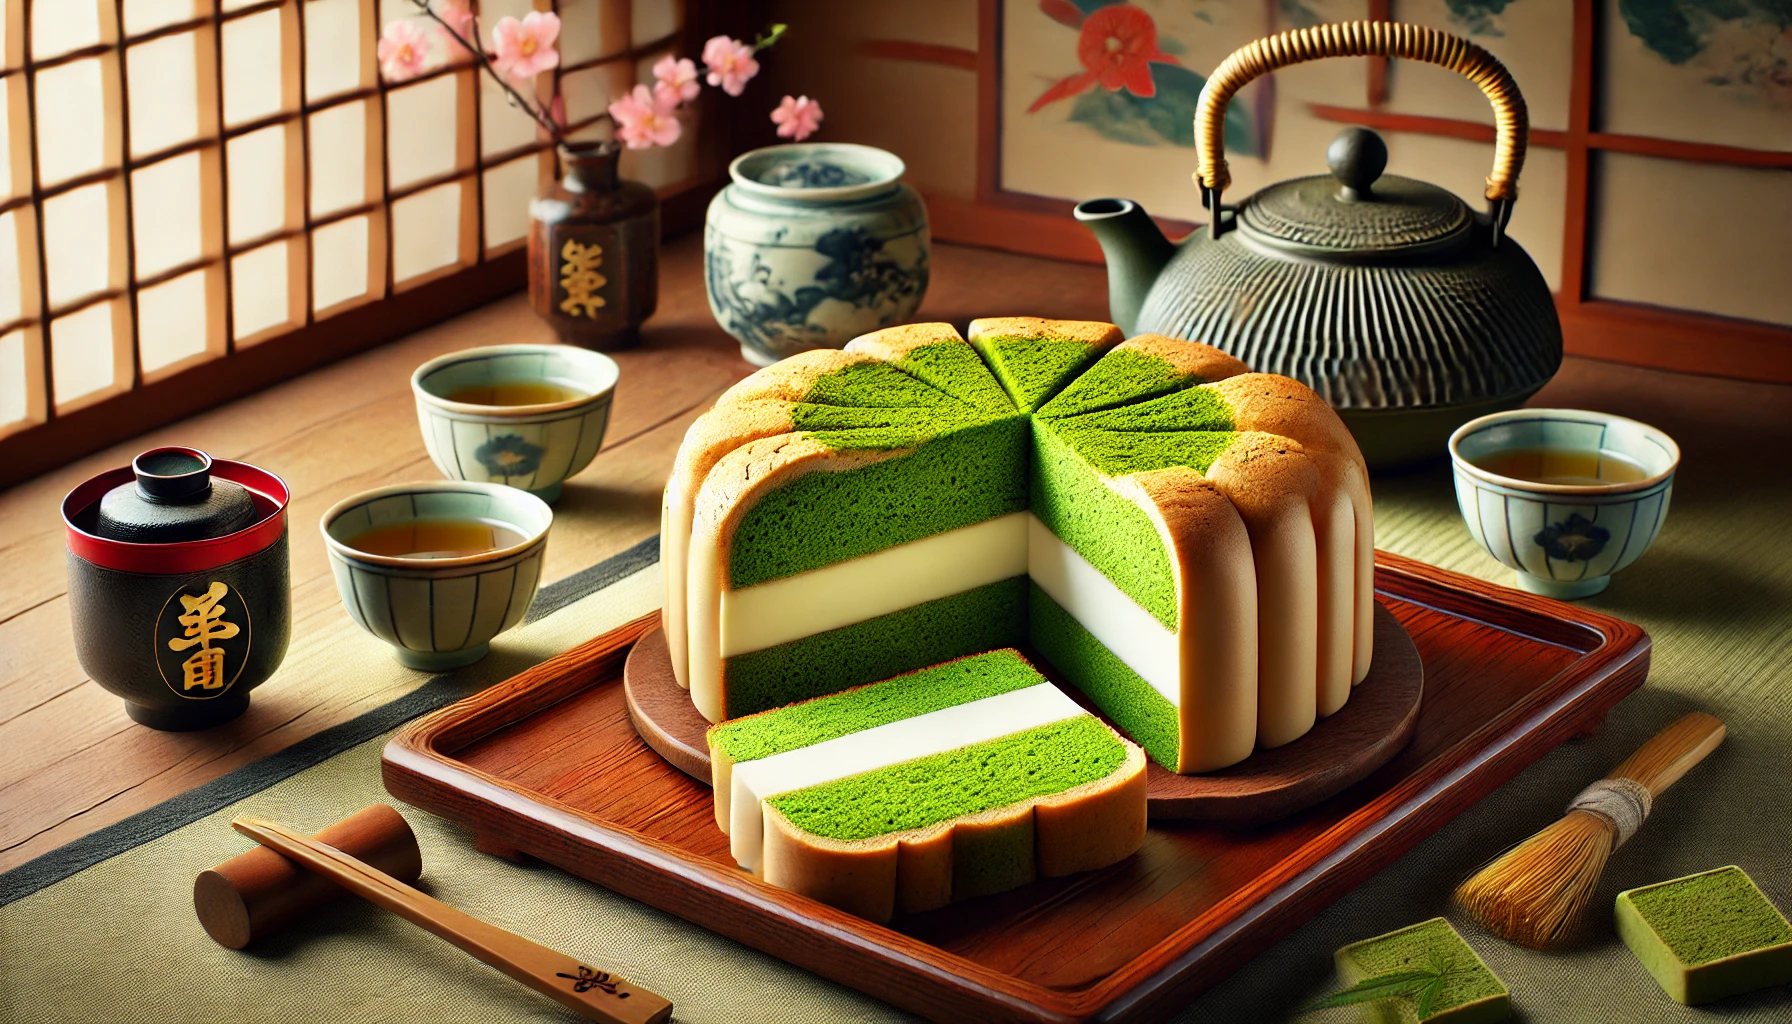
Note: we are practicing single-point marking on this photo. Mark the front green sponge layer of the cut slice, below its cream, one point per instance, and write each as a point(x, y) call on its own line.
point(967, 781)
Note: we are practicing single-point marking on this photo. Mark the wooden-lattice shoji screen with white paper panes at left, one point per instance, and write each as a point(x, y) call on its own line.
point(198, 182)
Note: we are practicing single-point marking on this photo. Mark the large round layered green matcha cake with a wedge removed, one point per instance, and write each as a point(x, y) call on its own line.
point(1191, 544)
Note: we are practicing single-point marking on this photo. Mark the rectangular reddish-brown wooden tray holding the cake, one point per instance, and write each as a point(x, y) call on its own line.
point(549, 765)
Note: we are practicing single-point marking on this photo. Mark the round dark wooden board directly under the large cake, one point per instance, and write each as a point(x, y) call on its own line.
point(1345, 749)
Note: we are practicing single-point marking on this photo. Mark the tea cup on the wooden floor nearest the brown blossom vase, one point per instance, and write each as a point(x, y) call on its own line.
point(519, 415)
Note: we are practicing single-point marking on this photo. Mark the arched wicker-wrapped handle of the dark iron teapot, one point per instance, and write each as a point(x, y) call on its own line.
point(1366, 40)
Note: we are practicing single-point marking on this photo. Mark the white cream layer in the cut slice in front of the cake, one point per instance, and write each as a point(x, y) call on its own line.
point(883, 747)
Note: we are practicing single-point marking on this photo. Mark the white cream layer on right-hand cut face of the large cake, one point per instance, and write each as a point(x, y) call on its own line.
point(1107, 612)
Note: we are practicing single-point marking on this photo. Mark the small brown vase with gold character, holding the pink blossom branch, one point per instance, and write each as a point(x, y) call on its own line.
point(594, 252)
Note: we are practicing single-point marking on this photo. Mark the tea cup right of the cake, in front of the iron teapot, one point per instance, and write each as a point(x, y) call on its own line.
point(1565, 541)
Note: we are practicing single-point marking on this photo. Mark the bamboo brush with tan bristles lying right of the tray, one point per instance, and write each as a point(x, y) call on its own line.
point(1535, 894)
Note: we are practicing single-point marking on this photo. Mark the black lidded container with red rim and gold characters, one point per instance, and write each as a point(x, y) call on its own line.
point(178, 584)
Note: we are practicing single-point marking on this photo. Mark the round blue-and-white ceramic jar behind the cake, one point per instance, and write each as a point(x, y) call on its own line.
point(813, 247)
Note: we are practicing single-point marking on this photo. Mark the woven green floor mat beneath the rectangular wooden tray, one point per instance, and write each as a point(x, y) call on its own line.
point(119, 941)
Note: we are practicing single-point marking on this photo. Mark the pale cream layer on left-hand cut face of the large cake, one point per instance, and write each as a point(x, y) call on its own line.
point(872, 586)
